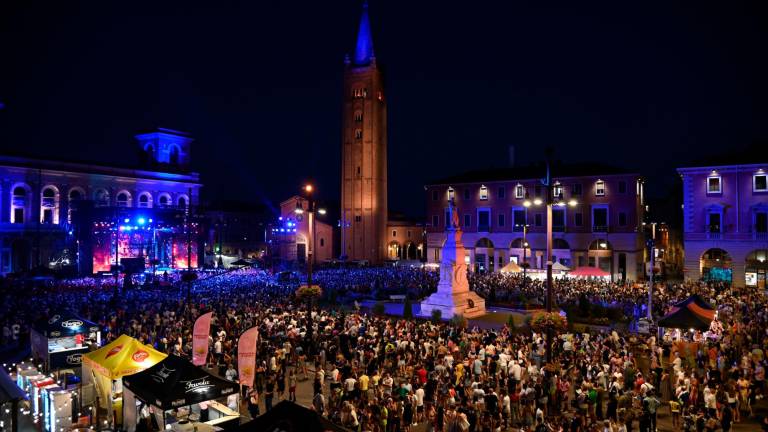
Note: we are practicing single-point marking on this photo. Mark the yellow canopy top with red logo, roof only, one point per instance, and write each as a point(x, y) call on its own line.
point(123, 356)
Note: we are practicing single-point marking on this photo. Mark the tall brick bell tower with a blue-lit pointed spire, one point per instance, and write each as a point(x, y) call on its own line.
point(364, 153)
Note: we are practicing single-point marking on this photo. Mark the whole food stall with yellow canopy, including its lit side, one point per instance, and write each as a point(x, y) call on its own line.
point(104, 368)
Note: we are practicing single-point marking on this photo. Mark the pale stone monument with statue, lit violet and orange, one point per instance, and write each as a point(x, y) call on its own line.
point(453, 296)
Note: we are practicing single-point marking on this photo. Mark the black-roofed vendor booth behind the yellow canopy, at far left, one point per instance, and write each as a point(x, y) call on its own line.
point(61, 341)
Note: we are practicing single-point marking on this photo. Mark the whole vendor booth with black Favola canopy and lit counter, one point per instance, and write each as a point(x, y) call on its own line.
point(175, 394)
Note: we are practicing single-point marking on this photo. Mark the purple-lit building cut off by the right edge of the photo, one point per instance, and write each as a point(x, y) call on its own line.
point(725, 223)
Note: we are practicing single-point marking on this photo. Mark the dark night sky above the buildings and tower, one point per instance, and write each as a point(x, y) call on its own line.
point(642, 85)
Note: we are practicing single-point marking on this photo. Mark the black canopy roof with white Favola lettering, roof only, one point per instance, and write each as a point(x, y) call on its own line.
point(176, 382)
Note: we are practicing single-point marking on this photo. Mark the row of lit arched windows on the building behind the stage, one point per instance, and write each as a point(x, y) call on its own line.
point(49, 201)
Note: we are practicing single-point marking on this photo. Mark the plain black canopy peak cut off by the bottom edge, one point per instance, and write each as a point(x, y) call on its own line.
point(289, 417)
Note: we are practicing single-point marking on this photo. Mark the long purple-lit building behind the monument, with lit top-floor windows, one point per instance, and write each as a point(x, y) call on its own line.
point(502, 221)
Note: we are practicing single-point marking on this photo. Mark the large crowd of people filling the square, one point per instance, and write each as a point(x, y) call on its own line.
point(372, 373)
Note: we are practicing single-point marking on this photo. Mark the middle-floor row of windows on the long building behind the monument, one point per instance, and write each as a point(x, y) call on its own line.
point(519, 219)
